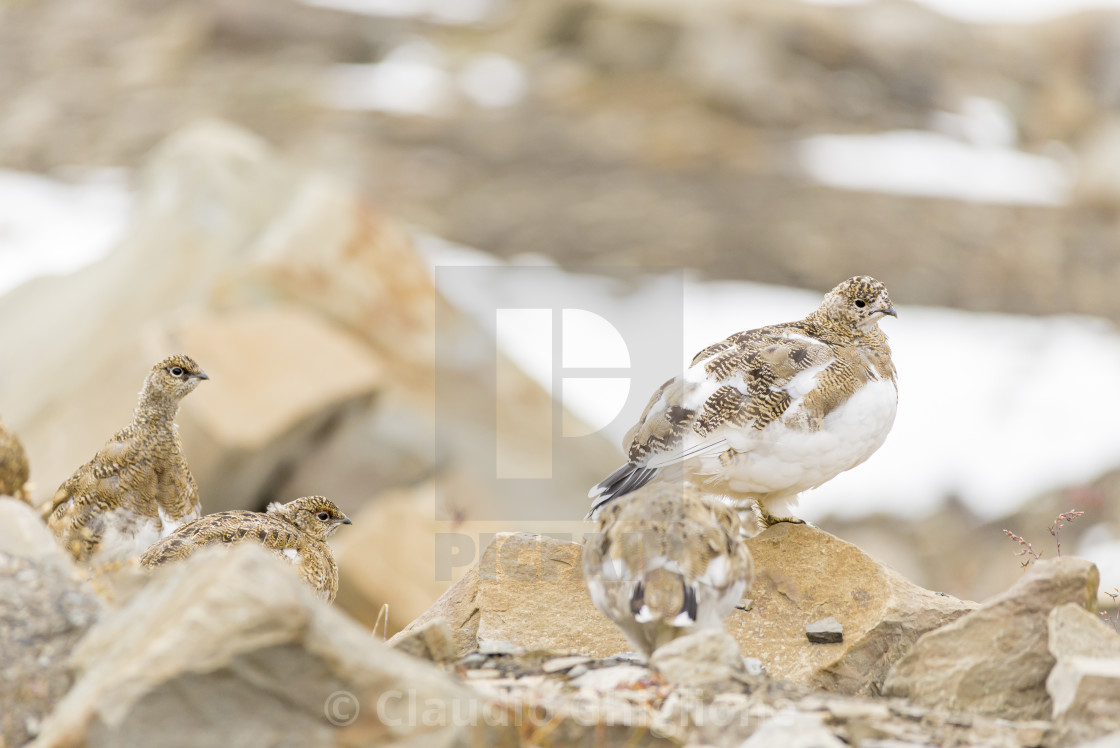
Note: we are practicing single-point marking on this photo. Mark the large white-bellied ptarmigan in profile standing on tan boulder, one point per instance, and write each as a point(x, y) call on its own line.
point(769, 414)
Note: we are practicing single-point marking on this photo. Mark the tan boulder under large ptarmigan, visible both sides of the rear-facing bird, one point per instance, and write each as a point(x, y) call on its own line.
point(528, 591)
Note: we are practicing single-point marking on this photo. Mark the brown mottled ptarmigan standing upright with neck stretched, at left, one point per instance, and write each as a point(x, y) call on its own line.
point(138, 488)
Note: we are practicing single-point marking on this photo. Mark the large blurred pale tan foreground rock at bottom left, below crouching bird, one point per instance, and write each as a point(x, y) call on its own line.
point(234, 650)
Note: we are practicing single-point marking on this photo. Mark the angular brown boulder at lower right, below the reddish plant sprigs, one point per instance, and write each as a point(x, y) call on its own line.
point(995, 661)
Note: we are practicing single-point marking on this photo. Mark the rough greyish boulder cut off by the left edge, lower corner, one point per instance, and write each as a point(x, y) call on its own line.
point(44, 612)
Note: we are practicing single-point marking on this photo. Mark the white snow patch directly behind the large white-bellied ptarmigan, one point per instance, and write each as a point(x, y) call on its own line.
point(979, 414)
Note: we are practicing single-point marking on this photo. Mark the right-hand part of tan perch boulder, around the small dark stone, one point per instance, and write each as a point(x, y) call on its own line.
point(805, 575)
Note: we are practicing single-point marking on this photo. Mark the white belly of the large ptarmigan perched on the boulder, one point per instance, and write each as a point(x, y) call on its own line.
point(781, 460)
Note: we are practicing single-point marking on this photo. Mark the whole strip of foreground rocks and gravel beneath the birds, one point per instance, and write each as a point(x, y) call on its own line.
point(232, 649)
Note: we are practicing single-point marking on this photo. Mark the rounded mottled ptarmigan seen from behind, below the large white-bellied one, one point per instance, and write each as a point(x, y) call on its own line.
point(667, 563)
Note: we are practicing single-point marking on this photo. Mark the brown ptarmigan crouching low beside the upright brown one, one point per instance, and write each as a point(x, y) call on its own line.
point(297, 531)
